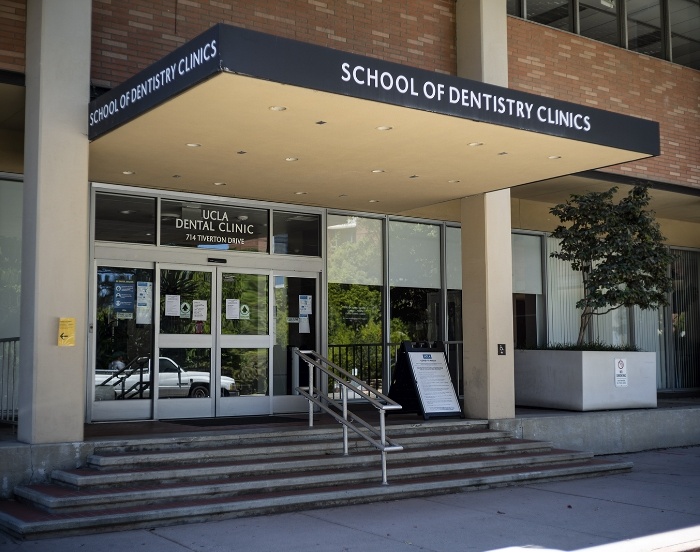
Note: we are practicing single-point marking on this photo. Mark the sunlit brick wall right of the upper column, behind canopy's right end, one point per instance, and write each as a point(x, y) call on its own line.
point(560, 65)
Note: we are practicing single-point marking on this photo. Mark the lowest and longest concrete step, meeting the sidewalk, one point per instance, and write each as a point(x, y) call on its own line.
point(26, 521)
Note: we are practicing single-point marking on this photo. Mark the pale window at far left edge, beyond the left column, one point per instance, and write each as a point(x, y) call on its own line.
point(10, 256)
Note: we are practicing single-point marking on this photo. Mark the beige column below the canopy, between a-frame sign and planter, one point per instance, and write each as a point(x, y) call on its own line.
point(487, 306)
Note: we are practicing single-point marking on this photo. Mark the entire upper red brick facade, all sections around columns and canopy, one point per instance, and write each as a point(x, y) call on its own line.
point(127, 36)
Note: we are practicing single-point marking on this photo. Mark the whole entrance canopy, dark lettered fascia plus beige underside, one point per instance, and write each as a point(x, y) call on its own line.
point(252, 116)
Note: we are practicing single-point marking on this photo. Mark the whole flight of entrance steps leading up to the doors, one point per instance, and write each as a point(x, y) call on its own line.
point(149, 482)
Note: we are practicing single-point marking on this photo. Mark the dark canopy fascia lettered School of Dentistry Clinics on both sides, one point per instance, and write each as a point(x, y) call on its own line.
point(236, 50)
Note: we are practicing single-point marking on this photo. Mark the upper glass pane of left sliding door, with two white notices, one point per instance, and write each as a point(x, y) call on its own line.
point(185, 302)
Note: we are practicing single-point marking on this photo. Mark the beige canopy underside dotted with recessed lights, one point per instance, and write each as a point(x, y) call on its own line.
point(336, 145)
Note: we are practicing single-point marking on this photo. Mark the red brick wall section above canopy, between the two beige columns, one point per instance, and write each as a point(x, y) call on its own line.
point(130, 35)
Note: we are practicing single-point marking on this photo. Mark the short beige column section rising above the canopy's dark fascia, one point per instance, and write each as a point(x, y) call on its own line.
point(482, 41)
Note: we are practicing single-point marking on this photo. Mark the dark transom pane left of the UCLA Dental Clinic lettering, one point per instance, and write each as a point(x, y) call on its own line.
point(126, 219)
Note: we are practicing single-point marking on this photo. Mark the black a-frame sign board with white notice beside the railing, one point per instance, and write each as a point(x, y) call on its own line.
point(422, 383)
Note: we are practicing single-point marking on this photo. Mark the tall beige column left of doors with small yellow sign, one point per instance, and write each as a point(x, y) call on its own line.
point(55, 221)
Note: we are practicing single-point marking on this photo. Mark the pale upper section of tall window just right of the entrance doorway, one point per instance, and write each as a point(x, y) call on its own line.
point(355, 250)
